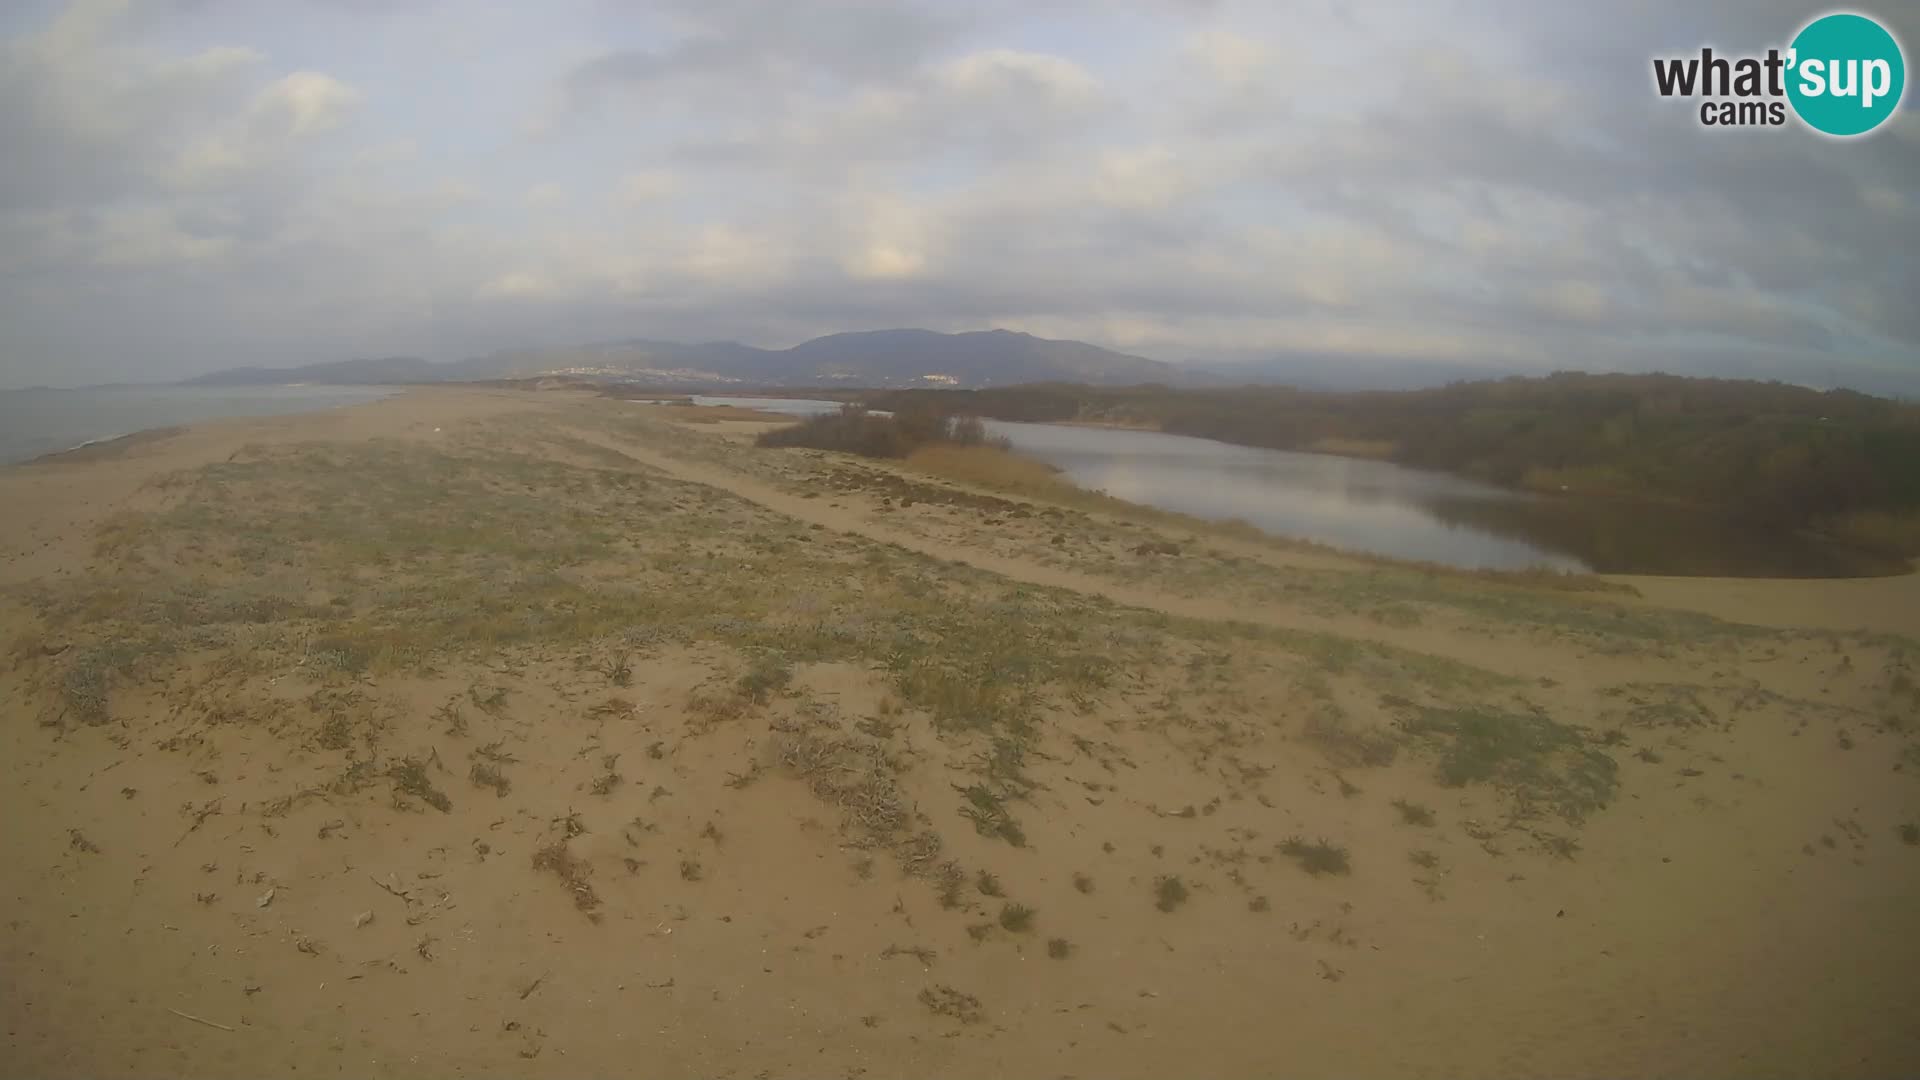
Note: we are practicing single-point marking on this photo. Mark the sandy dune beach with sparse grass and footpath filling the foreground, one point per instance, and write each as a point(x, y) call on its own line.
point(529, 733)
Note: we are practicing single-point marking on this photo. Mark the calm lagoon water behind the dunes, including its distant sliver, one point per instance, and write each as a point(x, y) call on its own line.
point(1406, 514)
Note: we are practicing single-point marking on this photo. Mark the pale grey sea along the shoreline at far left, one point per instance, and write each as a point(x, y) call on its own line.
point(47, 422)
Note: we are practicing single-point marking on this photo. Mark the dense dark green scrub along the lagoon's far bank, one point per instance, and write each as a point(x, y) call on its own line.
point(1773, 454)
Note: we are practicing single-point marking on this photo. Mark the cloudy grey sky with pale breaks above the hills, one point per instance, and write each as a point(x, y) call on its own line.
point(189, 185)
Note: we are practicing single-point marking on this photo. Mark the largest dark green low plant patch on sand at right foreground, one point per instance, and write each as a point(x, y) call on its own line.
point(1531, 758)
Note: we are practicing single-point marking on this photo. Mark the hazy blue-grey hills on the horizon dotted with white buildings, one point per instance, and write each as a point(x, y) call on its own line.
point(873, 358)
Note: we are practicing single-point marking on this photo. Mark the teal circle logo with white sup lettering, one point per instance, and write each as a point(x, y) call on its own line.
point(1846, 74)
